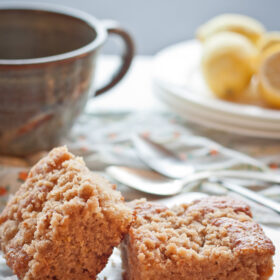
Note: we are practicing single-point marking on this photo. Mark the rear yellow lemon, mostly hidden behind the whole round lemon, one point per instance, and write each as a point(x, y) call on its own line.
point(244, 25)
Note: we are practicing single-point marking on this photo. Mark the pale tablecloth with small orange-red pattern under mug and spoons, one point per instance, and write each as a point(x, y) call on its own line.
point(104, 138)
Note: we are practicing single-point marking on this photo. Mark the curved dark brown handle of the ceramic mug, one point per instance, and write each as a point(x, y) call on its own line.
point(113, 27)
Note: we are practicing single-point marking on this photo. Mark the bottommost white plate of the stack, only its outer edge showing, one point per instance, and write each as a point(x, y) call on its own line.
point(201, 117)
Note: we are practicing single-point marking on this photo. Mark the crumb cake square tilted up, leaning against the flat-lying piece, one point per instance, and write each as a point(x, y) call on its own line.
point(63, 222)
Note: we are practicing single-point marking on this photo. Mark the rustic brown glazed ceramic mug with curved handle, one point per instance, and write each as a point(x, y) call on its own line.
point(47, 65)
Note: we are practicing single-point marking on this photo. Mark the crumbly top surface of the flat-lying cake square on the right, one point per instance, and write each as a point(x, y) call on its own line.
point(213, 227)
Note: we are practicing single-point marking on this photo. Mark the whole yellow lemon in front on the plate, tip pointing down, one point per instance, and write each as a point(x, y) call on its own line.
point(227, 64)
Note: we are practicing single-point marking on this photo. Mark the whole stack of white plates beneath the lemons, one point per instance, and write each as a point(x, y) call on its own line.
point(179, 84)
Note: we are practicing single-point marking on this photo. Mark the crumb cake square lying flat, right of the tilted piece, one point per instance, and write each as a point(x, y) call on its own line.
point(210, 239)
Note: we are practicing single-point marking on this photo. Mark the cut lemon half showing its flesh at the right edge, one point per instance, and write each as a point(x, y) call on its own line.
point(269, 81)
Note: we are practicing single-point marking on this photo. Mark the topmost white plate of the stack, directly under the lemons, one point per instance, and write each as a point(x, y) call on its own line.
point(176, 69)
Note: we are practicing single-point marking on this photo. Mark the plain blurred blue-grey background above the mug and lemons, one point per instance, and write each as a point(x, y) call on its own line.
point(158, 23)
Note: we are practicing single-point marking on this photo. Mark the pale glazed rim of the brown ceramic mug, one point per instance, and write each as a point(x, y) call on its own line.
point(93, 23)
